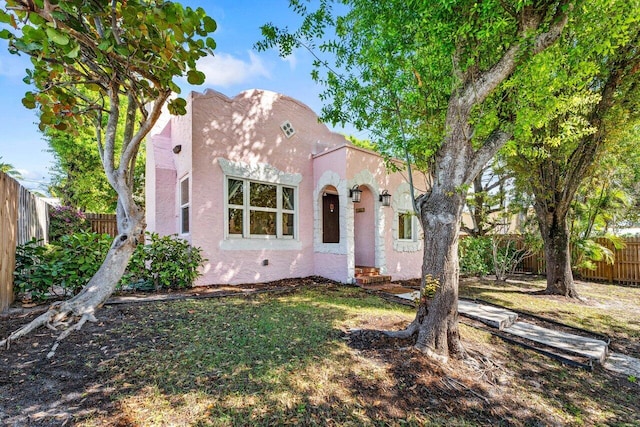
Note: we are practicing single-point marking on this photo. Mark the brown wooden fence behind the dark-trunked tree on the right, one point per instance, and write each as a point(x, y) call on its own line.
point(625, 268)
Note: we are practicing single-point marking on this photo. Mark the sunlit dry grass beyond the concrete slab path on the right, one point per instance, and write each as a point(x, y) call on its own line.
point(609, 309)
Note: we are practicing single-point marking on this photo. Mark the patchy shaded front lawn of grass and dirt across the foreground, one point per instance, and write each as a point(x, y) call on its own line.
point(291, 360)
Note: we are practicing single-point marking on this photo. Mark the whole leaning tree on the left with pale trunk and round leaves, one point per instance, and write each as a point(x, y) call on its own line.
point(86, 55)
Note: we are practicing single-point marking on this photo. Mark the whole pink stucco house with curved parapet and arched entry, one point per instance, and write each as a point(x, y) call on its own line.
point(265, 190)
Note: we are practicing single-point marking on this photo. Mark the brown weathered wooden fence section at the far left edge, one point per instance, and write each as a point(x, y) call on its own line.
point(9, 189)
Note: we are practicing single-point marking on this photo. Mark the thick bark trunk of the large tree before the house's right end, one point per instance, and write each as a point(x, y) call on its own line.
point(436, 321)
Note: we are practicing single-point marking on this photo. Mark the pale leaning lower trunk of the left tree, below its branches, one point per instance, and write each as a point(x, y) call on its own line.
point(70, 315)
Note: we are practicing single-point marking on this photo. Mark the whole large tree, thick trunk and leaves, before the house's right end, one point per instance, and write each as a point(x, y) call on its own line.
point(421, 77)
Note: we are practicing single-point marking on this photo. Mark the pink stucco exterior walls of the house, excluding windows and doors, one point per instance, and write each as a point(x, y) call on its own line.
point(242, 135)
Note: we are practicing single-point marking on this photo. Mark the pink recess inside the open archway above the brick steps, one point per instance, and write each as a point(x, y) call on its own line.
point(364, 229)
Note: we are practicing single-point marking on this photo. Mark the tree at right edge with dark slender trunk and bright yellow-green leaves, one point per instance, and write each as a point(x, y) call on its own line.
point(584, 100)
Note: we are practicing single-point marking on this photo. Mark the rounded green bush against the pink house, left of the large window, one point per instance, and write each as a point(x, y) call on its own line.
point(165, 262)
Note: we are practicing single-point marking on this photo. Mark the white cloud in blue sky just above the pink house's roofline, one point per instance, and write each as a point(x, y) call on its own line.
point(225, 70)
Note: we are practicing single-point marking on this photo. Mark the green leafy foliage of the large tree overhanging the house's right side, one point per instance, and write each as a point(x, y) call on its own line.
point(393, 66)
